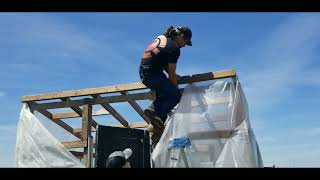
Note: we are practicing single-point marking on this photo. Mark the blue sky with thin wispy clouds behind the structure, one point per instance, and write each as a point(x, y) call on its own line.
point(276, 56)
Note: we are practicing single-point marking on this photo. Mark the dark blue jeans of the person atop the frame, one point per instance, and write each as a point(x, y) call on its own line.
point(167, 94)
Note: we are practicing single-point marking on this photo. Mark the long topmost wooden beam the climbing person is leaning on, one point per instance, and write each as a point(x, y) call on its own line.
point(126, 87)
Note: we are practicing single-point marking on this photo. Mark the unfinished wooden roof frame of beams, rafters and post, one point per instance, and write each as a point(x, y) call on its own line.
point(88, 97)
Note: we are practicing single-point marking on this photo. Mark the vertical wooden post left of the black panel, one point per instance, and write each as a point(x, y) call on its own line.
point(86, 134)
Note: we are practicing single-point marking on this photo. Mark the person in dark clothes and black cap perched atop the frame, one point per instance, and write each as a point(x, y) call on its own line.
point(163, 54)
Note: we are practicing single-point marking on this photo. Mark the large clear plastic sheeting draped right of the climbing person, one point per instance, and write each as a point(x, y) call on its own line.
point(209, 128)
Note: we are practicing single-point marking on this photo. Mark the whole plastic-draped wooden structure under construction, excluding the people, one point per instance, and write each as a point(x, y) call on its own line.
point(210, 127)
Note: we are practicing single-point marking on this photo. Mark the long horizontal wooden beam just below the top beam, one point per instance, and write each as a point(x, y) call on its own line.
point(93, 101)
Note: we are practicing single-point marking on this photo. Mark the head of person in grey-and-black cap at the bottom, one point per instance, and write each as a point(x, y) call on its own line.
point(119, 159)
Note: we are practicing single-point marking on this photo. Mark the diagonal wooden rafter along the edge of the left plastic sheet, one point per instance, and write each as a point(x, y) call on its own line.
point(57, 121)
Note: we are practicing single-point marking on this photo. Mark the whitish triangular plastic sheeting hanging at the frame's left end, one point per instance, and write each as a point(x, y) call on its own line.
point(37, 147)
